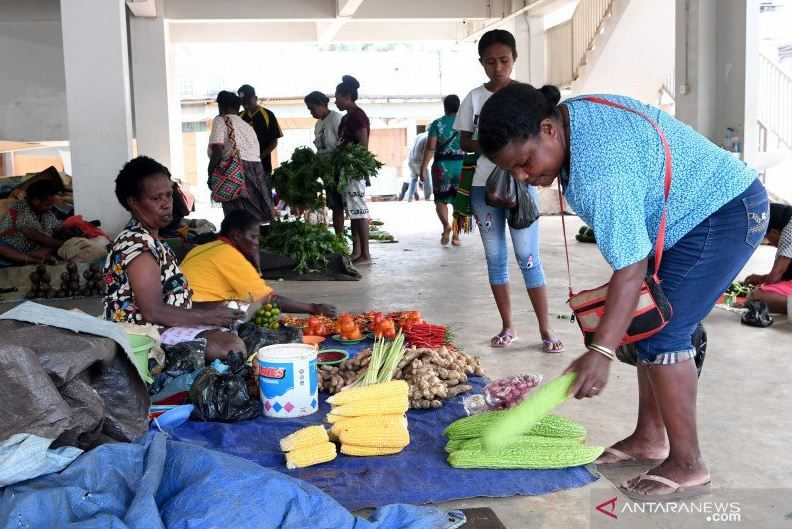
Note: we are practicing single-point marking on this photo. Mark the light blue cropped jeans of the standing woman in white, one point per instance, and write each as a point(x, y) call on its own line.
point(492, 227)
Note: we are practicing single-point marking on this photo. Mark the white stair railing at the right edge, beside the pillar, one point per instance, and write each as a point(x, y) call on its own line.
point(775, 101)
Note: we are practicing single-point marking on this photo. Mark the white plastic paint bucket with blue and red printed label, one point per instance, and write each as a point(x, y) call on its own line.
point(288, 381)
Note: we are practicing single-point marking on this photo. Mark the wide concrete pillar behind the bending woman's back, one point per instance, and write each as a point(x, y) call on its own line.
point(716, 67)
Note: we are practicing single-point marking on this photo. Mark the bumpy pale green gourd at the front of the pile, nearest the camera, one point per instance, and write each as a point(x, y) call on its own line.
point(527, 458)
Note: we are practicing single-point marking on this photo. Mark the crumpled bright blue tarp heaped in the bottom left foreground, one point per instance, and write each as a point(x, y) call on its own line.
point(158, 483)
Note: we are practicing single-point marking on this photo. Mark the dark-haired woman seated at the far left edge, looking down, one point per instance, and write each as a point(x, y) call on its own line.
point(27, 230)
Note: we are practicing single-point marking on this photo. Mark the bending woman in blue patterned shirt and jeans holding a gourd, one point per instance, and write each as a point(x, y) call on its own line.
point(611, 164)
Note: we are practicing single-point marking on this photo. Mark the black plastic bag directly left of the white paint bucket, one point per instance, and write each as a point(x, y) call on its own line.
point(224, 397)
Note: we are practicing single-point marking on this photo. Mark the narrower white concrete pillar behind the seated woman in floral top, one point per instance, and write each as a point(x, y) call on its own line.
point(155, 95)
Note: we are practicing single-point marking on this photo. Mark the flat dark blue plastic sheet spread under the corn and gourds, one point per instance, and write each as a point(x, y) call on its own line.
point(418, 475)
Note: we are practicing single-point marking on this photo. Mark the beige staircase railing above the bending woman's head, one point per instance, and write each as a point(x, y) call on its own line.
point(568, 44)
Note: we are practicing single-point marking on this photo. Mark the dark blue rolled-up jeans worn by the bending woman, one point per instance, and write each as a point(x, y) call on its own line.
point(700, 267)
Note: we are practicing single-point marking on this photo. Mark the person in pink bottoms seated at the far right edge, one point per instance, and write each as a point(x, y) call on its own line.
point(776, 287)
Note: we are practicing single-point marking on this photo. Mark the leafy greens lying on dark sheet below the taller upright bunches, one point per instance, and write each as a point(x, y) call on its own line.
point(310, 245)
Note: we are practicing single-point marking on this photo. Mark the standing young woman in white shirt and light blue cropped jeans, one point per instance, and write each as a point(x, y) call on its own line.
point(497, 53)
